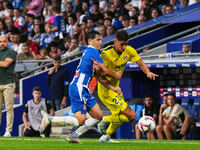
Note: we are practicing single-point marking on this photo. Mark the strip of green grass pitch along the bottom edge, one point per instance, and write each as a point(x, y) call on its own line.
point(18, 143)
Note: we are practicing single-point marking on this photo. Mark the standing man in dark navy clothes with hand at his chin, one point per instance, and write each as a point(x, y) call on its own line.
point(58, 84)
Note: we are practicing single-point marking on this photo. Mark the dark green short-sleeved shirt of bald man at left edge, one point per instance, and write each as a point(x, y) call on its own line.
point(7, 75)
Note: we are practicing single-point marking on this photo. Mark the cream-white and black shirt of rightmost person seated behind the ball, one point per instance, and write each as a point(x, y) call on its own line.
point(178, 112)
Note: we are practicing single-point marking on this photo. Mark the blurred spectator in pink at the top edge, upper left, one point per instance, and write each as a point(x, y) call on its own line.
point(34, 7)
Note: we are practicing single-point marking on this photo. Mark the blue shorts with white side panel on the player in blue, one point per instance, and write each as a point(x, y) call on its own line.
point(81, 99)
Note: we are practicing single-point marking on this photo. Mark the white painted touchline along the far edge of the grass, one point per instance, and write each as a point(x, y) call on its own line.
point(121, 141)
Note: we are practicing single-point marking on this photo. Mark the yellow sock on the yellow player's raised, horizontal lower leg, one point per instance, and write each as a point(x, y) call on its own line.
point(117, 118)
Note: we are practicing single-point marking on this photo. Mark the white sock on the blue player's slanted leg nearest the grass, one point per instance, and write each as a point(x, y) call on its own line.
point(84, 128)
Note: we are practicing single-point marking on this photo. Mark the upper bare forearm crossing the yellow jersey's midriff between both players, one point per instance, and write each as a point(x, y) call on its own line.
point(97, 66)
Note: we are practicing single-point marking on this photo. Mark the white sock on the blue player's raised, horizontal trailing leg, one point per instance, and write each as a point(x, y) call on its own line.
point(64, 119)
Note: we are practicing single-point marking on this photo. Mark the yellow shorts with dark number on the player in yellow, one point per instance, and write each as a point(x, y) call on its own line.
point(113, 101)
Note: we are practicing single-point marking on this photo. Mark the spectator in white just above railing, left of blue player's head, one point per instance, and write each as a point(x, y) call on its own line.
point(73, 48)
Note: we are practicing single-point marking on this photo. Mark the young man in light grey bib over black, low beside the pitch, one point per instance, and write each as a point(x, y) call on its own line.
point(32, 114)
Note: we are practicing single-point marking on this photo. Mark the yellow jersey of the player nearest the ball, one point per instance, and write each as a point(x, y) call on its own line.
point(116, 62)
